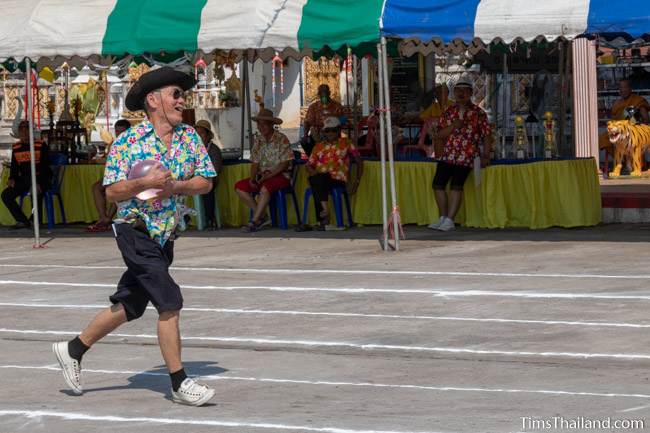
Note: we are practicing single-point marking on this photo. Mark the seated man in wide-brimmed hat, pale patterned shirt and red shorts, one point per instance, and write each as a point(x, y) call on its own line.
point(271, 157)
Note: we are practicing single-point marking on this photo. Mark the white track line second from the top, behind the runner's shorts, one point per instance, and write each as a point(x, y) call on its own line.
point(361, 290)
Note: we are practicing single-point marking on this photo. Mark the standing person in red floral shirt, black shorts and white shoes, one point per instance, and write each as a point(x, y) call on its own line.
point(464, 126)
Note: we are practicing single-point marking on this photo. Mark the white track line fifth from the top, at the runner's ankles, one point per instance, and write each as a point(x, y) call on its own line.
point(216, 377)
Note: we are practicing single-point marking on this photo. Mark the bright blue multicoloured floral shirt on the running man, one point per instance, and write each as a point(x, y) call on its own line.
point(188, 158)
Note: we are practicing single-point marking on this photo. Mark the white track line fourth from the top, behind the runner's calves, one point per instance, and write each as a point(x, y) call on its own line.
point(357, 346)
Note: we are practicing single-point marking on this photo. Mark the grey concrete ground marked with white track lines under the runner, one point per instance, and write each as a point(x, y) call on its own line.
point(470, 331)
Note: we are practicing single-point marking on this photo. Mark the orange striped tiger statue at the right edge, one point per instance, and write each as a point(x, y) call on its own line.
point(628, 139)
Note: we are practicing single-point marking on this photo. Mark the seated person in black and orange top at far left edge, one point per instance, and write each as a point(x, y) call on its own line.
point(20, 174)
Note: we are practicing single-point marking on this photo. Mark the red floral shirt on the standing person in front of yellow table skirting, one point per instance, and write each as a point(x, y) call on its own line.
point(463, 142)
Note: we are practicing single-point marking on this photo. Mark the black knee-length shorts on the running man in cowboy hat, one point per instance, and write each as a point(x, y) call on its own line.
point(147, 277)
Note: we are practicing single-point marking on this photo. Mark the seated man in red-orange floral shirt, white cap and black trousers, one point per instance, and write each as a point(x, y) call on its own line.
point(329, 165)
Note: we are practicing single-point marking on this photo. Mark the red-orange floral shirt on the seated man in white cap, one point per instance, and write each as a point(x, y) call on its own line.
point(333, 158)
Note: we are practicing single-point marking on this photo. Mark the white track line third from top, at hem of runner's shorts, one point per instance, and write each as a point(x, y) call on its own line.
point(355, 315)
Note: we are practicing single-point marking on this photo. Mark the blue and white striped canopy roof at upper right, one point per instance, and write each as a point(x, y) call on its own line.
point(466, 20)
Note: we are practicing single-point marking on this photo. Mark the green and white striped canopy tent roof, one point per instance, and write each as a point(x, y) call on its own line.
point(50, 32)
